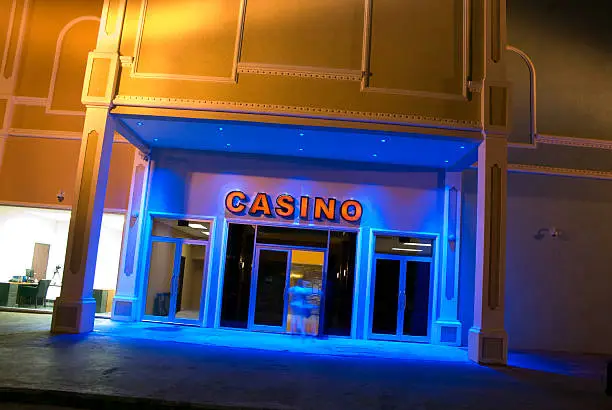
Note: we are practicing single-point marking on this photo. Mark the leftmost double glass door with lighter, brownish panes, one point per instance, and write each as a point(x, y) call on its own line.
point(175, 280)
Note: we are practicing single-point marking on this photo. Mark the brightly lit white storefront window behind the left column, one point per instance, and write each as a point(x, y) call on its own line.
point(32, 252)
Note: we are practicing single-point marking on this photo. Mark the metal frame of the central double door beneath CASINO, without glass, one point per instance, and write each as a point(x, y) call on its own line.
point(255, 277)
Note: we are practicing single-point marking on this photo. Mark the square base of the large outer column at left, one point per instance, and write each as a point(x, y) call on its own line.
point(73, 317)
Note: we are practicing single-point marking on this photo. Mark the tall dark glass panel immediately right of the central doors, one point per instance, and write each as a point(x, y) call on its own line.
point(340, 283)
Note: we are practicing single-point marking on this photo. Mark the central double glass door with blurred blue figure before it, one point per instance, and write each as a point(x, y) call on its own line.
point(286, 286)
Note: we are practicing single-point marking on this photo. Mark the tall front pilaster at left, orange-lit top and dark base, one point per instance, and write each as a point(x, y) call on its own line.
point(73, 311)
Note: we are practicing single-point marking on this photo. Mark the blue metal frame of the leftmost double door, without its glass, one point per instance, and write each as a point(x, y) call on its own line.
point(176, 266)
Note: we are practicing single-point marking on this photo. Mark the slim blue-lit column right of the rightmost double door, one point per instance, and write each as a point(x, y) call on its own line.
point(447, 327)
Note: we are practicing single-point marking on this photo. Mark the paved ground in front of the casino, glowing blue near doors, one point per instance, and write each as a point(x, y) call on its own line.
point(119, 361)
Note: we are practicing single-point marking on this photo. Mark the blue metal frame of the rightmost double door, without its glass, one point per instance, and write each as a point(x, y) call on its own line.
point(401, 302)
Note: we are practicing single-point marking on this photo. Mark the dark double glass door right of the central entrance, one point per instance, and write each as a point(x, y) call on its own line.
point(400, 310)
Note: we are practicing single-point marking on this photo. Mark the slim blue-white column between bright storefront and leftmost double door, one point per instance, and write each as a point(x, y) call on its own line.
point(125, 301)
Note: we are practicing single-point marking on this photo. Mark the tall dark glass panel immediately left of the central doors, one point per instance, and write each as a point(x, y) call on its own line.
point(237, 276)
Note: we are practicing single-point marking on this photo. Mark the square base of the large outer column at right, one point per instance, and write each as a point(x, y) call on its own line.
point(488, 346)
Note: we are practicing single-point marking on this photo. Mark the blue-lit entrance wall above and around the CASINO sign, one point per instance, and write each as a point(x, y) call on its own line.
point(393, 198)
